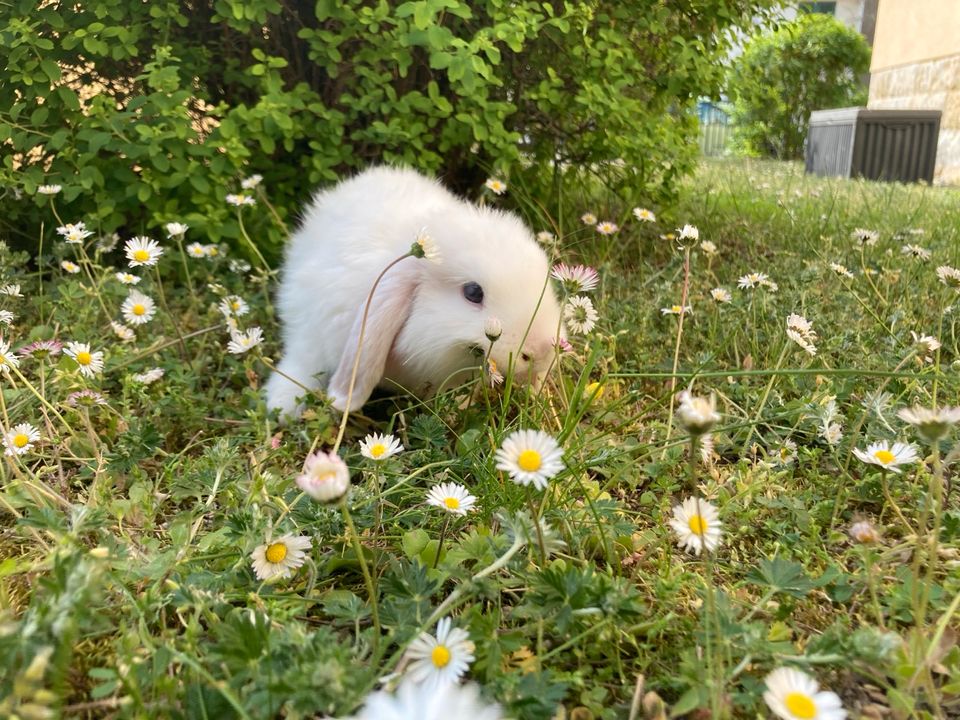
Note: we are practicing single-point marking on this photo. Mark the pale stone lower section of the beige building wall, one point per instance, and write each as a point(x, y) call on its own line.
point(926, 85)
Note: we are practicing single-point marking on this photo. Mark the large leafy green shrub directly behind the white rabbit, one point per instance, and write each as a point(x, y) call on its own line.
point(156, 111)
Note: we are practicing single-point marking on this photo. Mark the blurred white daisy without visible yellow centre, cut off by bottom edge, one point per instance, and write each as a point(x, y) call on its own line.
point(416, 701)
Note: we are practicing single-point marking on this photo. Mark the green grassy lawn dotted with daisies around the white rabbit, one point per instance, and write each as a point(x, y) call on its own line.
point(125, 569)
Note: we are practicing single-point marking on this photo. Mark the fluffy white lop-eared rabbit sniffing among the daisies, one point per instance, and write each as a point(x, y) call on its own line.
point(427, 316)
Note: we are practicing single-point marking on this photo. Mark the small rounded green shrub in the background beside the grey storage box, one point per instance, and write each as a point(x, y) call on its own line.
point(811, 63)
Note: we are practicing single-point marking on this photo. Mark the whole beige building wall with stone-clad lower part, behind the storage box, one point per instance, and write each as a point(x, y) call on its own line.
point(916, 65)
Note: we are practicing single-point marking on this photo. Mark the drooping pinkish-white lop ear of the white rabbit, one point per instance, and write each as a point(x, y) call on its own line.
point(388, 312)
